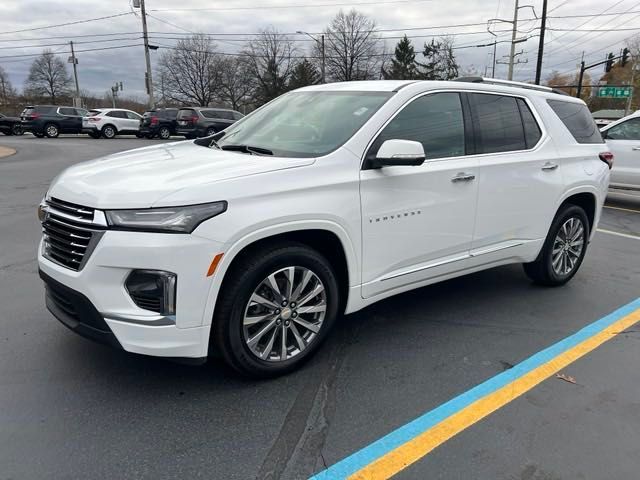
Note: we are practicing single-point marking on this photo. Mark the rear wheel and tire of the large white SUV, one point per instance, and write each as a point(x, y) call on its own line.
point(559, 260)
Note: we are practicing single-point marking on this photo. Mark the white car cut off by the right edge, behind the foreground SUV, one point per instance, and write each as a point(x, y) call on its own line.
point(623, 139)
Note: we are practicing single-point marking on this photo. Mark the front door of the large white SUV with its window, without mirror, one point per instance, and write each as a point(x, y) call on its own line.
point(417, 222)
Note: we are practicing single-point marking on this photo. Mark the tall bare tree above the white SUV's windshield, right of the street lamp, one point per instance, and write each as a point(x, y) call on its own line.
point(352, 49)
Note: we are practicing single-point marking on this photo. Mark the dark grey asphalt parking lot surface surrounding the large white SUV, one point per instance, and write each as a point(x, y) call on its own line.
point(72, 409)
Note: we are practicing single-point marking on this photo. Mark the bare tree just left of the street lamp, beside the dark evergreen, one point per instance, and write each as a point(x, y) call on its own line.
point(270, 62)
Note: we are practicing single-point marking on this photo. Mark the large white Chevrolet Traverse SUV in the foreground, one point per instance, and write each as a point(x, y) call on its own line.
point(253, 241)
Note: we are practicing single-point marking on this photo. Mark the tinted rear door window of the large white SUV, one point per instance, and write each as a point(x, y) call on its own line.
point(498, 123)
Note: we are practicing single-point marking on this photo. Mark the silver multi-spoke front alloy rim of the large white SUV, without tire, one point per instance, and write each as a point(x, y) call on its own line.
point(284, 314)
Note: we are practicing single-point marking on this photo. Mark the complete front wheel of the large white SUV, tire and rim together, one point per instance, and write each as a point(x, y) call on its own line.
point(231, 337)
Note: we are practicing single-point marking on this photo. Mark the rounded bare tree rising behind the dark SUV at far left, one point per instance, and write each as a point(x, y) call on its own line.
point(48, 77)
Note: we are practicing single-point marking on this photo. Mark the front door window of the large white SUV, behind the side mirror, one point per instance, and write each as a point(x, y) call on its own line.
point(434, 120)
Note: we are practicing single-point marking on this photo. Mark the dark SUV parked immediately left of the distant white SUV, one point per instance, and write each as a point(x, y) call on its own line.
point(51, 120)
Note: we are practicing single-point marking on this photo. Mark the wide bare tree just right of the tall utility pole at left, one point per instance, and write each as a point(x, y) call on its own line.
point(190, 73)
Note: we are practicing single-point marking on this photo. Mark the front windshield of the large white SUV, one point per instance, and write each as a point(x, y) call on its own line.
point(305, 124)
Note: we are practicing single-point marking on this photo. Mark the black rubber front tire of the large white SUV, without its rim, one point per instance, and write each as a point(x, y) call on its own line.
point(229, 326)
